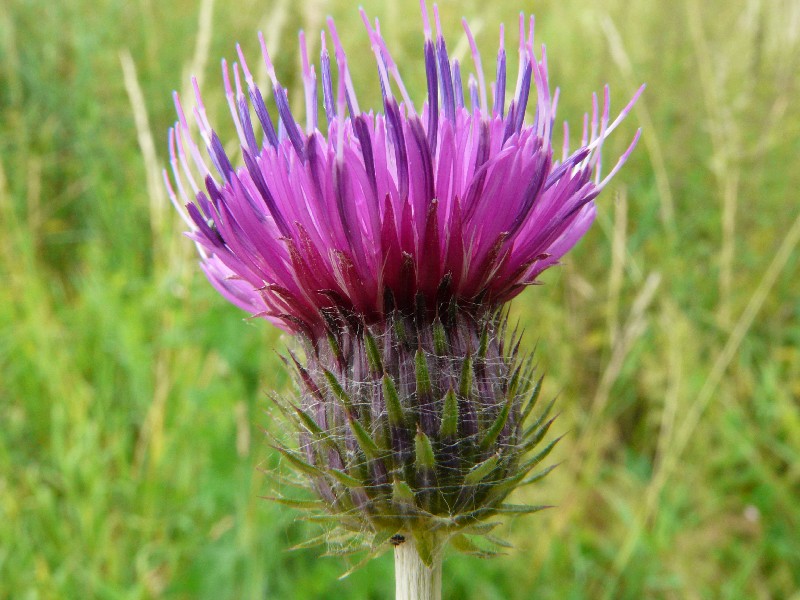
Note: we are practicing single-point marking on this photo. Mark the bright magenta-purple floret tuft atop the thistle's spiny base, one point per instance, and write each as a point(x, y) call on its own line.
point(456, 199)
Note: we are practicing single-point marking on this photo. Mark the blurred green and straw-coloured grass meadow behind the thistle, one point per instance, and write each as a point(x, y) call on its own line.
point(132, 397)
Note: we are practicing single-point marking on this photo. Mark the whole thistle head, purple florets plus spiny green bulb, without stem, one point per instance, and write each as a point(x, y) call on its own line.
point(389, 244)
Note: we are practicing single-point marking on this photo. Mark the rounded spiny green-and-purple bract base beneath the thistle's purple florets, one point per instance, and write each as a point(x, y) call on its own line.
point(415, 427)
